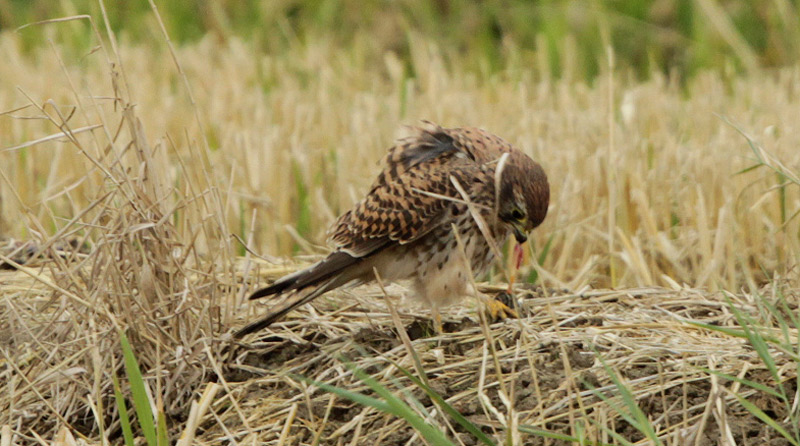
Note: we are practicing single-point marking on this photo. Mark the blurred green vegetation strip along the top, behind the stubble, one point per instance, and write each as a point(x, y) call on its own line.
point(561, 38)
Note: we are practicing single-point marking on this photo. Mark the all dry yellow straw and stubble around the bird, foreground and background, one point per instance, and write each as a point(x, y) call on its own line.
point(257, 143)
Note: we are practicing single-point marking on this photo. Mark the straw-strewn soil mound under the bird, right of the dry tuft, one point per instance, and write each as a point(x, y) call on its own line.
point(549, 367)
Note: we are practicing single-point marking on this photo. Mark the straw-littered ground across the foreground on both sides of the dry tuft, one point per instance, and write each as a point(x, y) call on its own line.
point(545, 370)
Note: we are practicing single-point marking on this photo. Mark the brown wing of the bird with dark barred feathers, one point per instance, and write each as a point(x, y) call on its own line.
point(406, 201)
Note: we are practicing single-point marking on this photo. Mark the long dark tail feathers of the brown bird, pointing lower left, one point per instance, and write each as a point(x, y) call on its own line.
point(325, 275)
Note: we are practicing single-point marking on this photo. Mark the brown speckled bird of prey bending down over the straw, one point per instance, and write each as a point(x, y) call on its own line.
point(443, 196)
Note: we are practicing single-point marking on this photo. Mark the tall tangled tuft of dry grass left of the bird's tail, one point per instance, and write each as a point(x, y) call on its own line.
point(146, 255)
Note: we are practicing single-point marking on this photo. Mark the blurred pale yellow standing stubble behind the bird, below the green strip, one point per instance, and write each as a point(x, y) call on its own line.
point(298, 139)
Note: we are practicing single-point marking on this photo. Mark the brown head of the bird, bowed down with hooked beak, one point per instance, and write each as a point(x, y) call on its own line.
point(524, 194)
